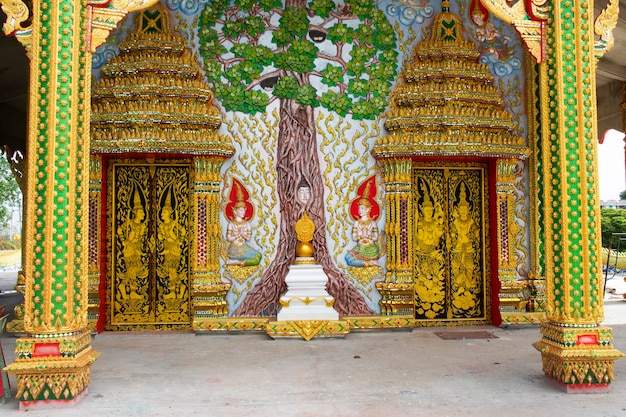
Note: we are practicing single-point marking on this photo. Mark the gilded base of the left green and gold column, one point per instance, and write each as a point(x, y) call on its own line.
point(52, 370)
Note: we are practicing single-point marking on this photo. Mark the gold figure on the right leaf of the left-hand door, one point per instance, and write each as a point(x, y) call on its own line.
point(171, 237)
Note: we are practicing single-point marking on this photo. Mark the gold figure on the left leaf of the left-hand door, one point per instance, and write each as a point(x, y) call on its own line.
point(133, 235)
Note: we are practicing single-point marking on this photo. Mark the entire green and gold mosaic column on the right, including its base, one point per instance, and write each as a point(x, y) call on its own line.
point(576, 352)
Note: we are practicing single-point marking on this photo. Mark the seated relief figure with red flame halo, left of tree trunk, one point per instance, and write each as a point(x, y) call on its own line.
point(239, 211)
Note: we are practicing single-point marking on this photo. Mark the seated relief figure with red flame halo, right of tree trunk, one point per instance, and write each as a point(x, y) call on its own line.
point(365, 210)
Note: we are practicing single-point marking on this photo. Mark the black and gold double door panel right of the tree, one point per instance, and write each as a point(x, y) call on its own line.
point(451, 245)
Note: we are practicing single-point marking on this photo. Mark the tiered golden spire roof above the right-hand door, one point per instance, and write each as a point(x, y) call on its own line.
point(445, 102)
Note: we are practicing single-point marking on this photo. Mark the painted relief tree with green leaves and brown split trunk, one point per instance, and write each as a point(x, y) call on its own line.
point(258, 52)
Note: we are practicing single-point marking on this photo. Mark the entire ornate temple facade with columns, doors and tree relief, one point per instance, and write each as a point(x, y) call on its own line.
point(309, 168)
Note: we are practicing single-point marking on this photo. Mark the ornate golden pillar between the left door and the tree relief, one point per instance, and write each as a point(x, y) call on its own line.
point(209, 291)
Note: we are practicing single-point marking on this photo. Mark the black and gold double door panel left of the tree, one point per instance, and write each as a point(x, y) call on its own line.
point(149, 282)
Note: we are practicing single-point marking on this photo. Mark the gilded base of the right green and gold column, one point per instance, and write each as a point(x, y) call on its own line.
point(579, 359)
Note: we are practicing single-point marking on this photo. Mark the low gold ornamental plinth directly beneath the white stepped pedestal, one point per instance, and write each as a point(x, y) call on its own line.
point(307, 329)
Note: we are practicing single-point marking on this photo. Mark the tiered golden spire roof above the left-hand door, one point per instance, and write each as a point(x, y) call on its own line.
point(153, 97)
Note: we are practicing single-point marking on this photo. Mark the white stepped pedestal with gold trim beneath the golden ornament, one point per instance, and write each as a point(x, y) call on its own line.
point(306, 297)
